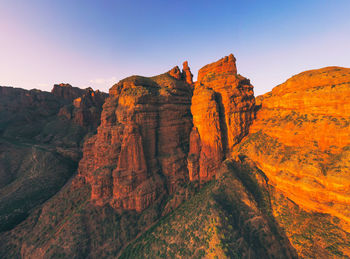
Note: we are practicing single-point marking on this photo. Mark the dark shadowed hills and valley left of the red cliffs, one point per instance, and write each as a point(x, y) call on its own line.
point(39, 149)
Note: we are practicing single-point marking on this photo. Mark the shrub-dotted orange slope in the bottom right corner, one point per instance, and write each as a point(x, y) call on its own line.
point(314, 235)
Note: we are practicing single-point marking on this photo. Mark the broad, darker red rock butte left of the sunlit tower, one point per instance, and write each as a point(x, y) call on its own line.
point(140, 150)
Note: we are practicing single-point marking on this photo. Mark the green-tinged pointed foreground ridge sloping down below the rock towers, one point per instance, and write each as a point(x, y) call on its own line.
point(228, 218)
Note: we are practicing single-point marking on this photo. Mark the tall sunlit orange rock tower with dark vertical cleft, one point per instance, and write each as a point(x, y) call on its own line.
point(223, 109)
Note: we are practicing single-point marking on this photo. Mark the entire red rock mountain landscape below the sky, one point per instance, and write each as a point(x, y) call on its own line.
point(171, 168)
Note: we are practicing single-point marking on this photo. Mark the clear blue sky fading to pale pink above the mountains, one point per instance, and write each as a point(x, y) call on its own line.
point(96, 43)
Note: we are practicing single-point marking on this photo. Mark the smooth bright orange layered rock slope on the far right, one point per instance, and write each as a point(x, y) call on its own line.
point(301, 140)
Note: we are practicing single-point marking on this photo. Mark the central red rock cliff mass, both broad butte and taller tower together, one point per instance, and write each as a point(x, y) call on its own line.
point(148, 143)
